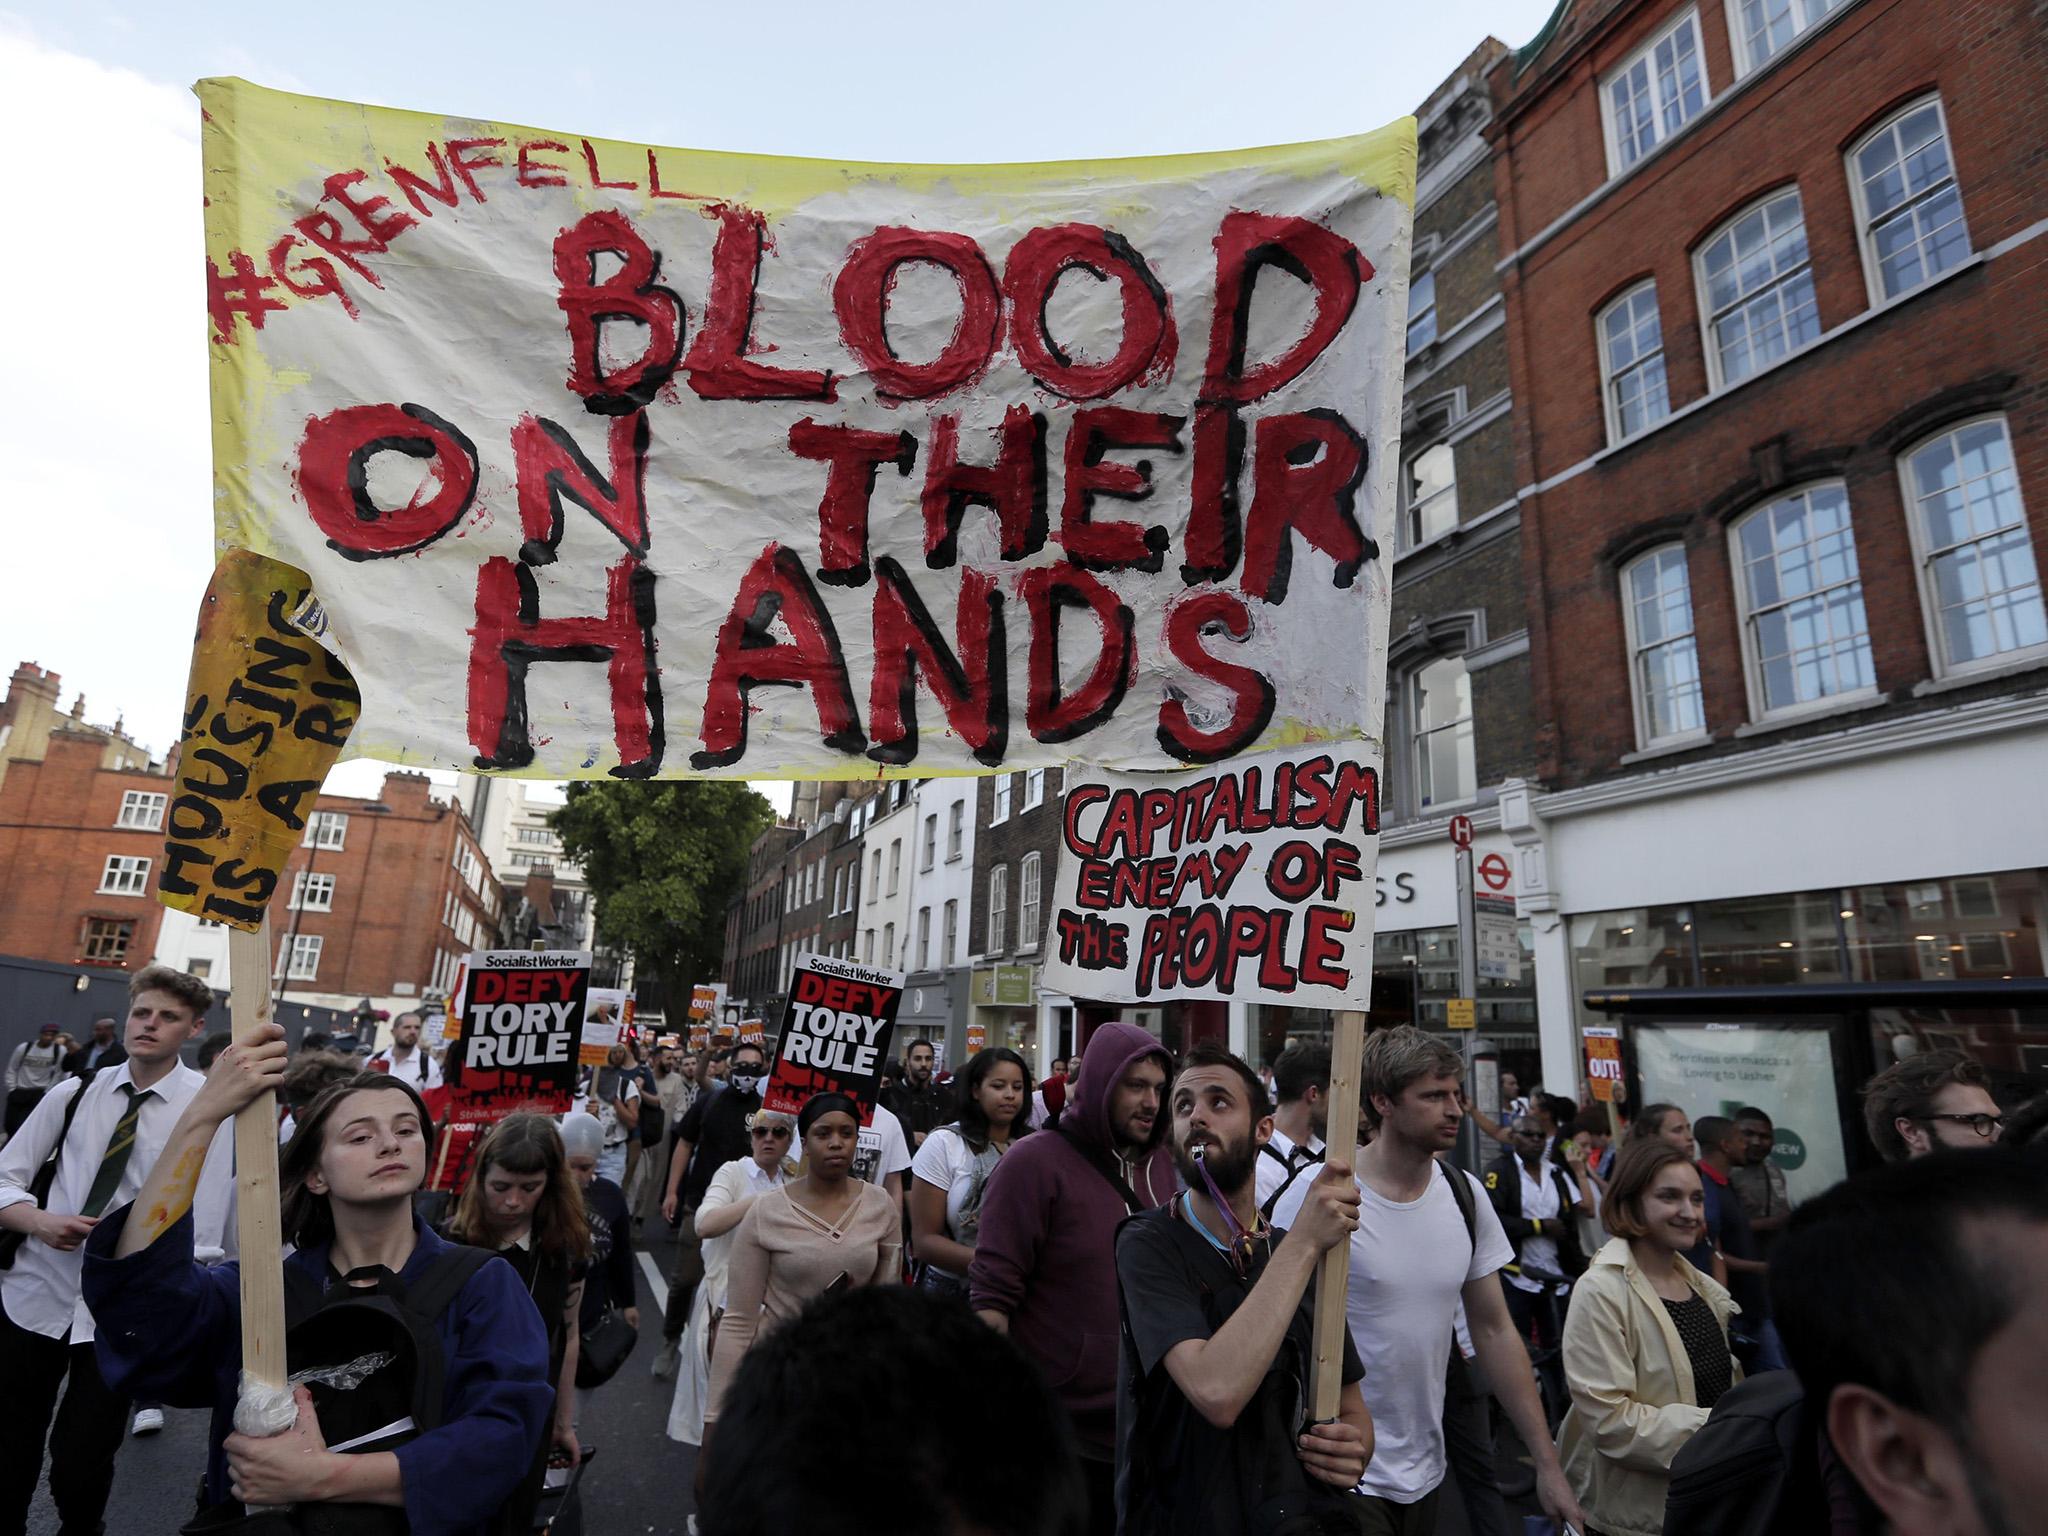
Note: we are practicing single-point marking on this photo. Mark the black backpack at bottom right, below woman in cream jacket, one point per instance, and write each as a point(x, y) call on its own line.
point(1752, 1469)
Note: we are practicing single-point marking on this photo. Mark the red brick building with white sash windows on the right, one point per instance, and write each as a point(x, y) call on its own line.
point(1779, 337)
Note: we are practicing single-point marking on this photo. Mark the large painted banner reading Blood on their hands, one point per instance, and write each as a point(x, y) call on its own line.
point(712, 464)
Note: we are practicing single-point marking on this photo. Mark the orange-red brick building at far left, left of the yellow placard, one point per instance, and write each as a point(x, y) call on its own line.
point(81, 851)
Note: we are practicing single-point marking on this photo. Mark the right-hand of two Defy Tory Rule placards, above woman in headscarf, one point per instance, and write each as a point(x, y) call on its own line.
point(835, 1033)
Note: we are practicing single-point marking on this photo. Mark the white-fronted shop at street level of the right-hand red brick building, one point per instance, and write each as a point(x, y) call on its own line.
point(1904, 867)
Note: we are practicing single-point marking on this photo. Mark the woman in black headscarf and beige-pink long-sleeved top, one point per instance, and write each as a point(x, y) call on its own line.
point(808, 1238)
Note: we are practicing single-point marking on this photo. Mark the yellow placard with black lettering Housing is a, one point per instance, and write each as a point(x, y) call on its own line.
point(265, 716)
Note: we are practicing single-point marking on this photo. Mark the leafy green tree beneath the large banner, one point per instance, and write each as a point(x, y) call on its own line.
point(665, 861)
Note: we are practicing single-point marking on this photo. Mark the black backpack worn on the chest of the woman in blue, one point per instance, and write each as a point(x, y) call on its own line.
point(372, 1359)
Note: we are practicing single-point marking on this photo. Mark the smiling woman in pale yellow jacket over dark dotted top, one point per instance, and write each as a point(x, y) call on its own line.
point(1646, 1345)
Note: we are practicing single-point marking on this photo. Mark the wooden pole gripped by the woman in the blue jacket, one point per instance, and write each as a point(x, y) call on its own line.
point(257, 1189)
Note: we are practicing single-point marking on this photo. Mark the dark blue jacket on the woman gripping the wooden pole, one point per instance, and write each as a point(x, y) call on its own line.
point(171, 1330)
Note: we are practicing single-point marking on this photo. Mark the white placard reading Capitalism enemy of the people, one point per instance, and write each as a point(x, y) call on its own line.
point(1250, 880)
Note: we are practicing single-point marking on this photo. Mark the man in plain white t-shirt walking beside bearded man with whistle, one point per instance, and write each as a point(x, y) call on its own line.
point(1414, 1256)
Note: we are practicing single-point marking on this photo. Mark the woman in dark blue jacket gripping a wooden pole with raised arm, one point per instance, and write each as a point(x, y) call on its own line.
point(171, 1328)
